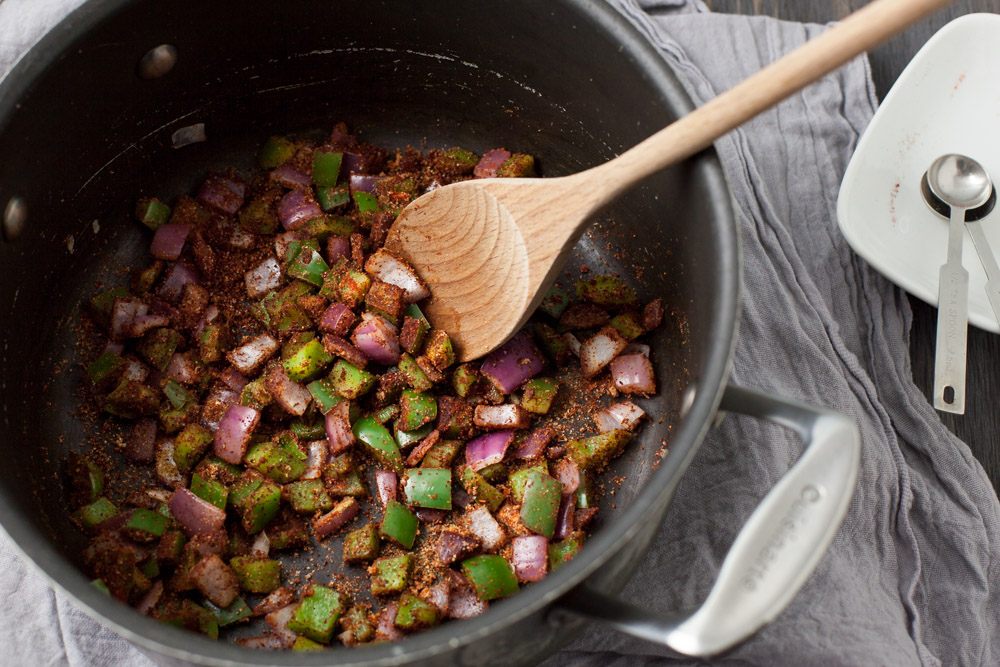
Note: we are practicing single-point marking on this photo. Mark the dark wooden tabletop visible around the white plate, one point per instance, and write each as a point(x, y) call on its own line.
point(980, 425)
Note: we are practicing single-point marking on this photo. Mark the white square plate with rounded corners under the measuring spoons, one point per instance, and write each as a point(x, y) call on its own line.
point(947, 100)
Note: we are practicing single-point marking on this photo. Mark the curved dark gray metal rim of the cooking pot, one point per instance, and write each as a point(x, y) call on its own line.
point(175, 643)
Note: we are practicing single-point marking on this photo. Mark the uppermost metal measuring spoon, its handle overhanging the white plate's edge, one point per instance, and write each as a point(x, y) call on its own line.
point(962, 184)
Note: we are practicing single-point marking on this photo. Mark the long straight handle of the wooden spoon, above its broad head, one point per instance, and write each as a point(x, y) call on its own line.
point(857, 33)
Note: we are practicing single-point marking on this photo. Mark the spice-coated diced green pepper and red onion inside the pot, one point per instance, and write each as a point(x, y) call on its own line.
point(274, 372)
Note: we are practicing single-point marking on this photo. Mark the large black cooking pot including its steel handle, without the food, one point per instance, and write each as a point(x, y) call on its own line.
point(82, 134)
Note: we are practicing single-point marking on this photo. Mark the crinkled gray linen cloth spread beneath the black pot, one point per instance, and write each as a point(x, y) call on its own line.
point(911, 577)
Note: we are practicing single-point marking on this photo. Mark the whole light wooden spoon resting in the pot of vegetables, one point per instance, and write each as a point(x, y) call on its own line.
point(489, 249)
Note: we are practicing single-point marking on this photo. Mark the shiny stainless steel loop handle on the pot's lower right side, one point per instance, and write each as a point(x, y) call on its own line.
point(773, 554)
